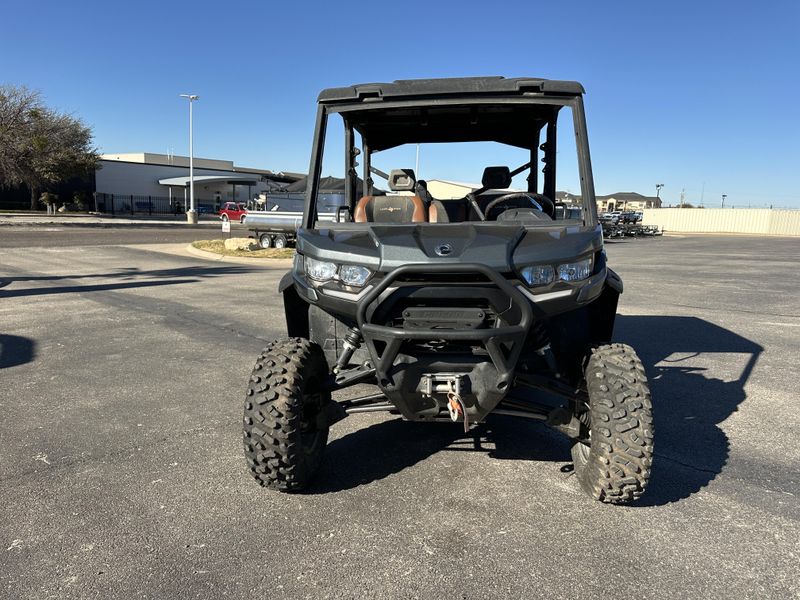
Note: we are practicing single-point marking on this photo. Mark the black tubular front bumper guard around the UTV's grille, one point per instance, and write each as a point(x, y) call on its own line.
point(402, 376)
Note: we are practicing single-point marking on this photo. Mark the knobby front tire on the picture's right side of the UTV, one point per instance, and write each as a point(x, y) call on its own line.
point(615, 466)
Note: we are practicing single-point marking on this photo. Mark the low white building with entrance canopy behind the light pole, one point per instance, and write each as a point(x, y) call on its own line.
point(165, 178)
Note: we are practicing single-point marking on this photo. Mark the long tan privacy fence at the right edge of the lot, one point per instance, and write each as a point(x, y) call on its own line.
point(756, 221)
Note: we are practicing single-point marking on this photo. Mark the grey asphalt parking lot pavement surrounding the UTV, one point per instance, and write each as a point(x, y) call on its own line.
point(123, 370)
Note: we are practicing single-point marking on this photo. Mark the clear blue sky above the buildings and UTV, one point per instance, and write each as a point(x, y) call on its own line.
point(695, 95)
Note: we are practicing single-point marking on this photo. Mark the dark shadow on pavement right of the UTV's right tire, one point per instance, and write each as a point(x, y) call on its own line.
point(689, 402)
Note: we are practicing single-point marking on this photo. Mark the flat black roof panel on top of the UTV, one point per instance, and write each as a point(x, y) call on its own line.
point(461, 86)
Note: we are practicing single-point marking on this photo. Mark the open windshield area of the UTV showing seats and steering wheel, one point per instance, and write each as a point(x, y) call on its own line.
point(505, 164)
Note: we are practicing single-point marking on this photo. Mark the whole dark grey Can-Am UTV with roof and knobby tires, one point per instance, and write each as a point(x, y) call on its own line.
point(452, 307)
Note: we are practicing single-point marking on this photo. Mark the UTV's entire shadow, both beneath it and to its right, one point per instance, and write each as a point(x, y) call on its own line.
point(689, 403)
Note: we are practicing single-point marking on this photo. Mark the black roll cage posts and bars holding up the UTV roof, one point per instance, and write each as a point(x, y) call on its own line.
point(548, 148)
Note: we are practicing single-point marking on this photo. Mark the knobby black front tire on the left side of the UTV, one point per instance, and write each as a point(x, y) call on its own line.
point(284, 438)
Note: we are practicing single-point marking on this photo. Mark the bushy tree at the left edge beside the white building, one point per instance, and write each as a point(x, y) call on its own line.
point(39, 146)
